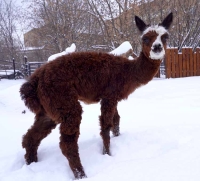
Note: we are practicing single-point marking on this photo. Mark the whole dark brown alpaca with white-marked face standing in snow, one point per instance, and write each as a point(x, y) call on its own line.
point(54, 90)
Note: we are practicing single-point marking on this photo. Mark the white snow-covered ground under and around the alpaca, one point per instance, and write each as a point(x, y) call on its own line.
point(159, 141)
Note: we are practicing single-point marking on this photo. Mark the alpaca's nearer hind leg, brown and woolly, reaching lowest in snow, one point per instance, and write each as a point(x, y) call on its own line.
point(69, 130)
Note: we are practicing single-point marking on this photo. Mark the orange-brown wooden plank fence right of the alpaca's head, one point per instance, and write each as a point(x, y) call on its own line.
point(184, 64)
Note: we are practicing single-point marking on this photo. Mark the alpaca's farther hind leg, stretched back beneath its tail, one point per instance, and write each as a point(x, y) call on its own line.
point(31, 140)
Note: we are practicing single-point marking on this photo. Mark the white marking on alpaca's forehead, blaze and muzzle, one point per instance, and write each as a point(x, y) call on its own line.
point(157, 55)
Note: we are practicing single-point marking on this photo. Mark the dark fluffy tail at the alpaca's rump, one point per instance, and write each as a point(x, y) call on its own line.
point(28, 92)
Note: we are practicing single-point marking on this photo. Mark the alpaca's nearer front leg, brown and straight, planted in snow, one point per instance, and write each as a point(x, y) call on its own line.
point(108, 108)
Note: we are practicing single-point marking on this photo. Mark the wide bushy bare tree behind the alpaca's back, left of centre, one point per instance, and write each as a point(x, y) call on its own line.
point(60, 23)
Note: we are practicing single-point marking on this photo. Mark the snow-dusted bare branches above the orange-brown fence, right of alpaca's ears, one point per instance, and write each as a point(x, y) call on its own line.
point(187, 24)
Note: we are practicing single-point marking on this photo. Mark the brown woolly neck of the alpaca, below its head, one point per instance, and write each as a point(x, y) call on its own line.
point(145, 68)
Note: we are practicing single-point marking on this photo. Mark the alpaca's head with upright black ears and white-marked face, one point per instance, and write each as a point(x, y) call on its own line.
point(154, 37)
